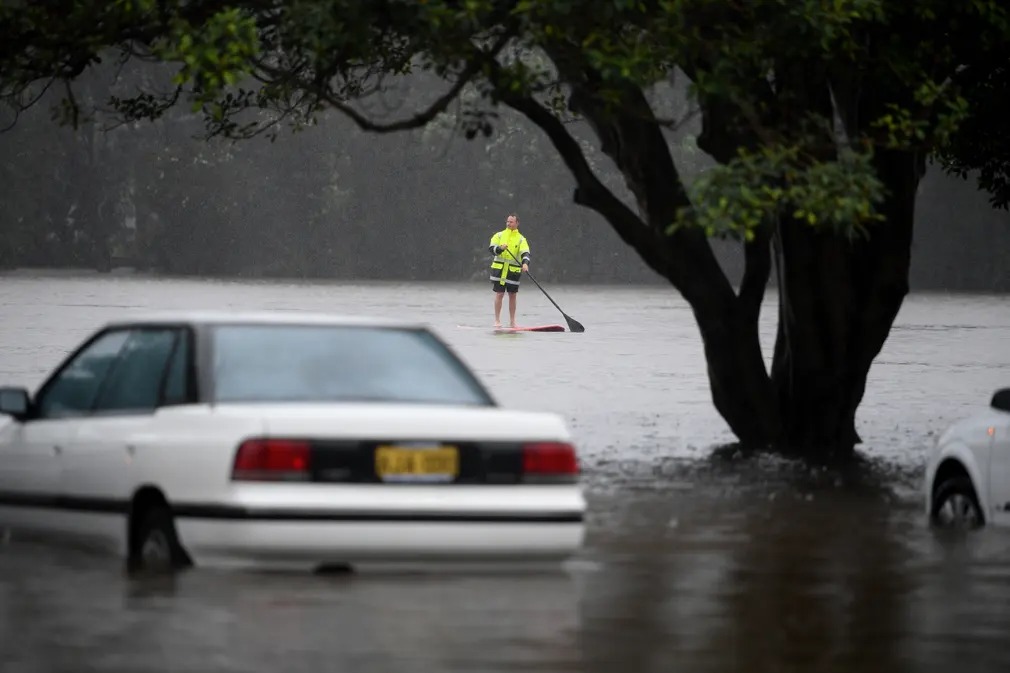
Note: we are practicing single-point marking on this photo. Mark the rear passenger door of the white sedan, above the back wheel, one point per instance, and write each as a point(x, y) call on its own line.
point(97, 474)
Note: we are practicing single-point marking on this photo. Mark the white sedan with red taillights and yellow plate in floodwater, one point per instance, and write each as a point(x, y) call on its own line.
point(285, 440)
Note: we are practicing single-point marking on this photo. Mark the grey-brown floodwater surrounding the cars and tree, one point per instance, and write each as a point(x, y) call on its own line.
point(697, 559)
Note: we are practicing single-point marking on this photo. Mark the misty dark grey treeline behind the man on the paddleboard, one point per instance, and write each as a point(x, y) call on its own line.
point(333, 202)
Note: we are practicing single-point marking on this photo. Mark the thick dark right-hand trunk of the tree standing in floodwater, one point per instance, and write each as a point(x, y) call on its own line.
point(838, 303)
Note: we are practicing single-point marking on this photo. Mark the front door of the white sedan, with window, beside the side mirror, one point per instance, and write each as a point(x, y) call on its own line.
point(32, 450)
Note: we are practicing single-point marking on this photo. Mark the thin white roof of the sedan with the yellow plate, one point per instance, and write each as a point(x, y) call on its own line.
point(292, 318)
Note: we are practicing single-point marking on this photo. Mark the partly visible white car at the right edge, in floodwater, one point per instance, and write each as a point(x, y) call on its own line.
point(968, 472)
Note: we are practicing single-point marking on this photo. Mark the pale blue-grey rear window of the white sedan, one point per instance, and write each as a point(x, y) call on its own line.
point(339, 363)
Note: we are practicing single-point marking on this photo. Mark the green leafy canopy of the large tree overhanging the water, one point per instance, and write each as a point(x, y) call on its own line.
point(754, 66)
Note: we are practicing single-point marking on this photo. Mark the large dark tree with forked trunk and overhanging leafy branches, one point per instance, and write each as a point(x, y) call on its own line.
point(821, 116)
